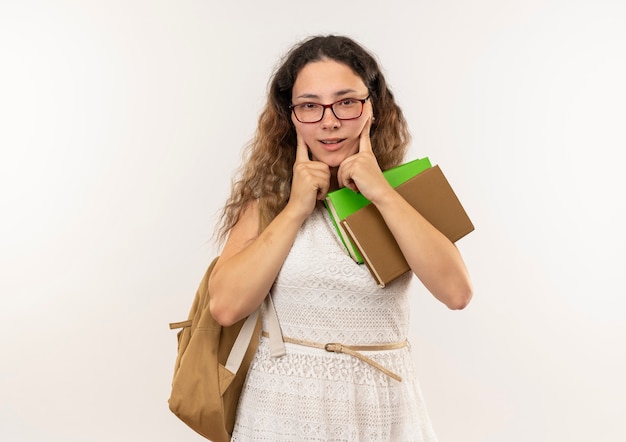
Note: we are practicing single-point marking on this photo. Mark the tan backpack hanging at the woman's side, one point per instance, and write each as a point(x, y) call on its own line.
point(211, 367)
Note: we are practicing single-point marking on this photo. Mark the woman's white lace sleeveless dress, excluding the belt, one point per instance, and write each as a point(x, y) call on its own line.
point(309, 394)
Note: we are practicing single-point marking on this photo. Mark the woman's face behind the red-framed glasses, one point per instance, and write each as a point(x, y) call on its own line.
point(330, 140)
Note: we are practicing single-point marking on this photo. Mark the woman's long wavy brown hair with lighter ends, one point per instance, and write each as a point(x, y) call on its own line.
point(267, 170)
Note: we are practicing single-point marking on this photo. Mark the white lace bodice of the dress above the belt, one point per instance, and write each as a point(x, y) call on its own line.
point(322, 295)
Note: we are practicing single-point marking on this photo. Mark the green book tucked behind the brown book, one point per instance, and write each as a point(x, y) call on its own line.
point(343, 202)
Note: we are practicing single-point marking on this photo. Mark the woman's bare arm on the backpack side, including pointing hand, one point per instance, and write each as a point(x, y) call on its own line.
point(250, 262)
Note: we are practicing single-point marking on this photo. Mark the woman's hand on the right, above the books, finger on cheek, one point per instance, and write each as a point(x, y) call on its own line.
point(361, 172)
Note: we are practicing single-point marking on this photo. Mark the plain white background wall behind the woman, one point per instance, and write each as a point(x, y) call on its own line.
point(121, 123)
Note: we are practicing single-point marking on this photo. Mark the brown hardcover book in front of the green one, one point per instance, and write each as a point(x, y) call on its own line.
point(430, 194)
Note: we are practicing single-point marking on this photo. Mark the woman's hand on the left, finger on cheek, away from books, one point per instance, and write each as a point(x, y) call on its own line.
point(311, 180)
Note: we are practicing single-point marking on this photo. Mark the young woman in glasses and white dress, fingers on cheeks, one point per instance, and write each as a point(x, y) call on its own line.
point(330, 121)
